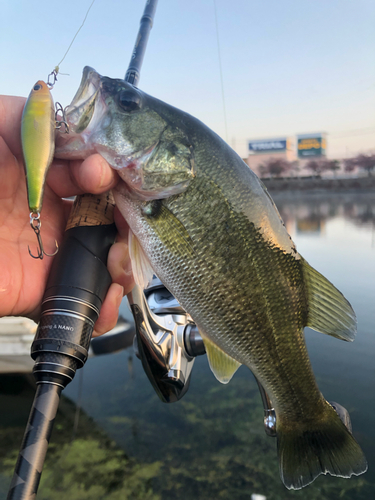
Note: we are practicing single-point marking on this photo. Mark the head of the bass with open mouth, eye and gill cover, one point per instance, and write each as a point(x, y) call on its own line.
point(133, 132)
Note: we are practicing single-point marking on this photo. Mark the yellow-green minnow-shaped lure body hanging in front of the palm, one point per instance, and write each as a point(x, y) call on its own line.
point(38, 141)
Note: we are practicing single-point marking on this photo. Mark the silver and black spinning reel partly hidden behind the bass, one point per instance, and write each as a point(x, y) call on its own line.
point(167, 342)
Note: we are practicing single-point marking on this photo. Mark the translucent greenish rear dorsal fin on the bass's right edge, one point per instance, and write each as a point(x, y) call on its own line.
point(329, 311)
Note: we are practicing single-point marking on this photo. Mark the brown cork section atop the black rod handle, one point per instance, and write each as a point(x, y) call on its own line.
point(92, 210)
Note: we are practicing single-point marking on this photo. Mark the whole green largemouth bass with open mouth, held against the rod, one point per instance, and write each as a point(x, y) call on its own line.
point(204, 223)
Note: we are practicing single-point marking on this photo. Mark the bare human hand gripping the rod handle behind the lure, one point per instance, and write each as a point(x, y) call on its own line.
point(23, 279)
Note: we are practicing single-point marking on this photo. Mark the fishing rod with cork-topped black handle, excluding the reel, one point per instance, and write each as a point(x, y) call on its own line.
point(77, 285)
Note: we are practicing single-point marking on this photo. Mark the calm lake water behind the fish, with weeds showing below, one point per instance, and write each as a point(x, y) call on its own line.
point(211, 445)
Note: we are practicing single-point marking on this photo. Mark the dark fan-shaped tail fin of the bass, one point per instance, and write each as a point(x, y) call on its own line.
point(319, 447)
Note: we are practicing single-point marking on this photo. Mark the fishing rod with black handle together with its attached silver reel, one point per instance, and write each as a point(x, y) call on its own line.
point(76, 287)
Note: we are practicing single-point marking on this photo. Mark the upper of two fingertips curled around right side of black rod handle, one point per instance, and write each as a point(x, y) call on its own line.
point(119, 266)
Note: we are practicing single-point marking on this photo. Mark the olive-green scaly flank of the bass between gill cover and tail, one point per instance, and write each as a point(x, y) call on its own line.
point(244, 293)
